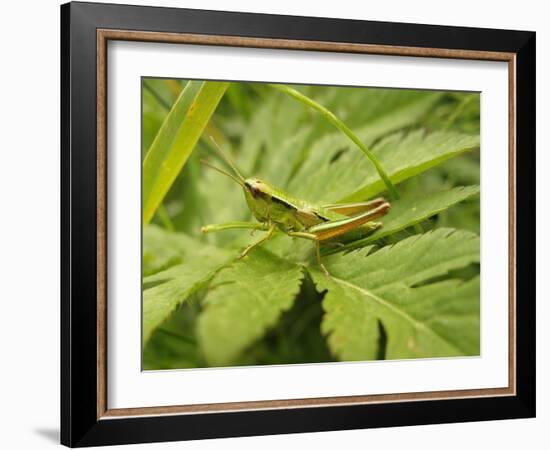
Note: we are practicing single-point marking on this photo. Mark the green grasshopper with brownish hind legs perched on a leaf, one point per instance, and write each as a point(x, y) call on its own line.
point(275, 209)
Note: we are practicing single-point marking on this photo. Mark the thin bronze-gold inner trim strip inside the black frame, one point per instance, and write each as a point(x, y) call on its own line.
point(103, 36)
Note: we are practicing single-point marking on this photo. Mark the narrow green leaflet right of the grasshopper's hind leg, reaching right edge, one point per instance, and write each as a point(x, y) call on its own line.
point(407, 212)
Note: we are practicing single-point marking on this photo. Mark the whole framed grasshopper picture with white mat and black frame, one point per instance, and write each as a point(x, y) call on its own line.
point(276, 224)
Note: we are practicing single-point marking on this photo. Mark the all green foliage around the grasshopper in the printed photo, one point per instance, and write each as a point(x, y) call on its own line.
point(409, 290)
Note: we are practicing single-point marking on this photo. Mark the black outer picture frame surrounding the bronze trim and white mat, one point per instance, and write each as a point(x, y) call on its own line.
point(80, 424)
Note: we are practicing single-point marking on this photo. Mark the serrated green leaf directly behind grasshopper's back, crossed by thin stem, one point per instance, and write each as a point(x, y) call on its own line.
point(333, 173)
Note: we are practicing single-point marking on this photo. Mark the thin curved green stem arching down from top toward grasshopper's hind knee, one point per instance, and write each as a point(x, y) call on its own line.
point(344, 128)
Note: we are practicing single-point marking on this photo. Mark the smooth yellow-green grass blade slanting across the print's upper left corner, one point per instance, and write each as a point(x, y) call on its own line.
point(176, 139)
